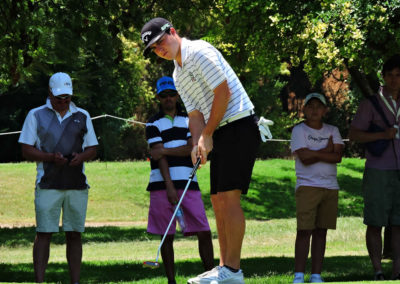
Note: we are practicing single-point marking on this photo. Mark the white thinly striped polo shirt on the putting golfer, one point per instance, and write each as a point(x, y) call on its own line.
point(203, 69)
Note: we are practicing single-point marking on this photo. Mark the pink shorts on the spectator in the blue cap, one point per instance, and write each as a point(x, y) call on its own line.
point(160, 213)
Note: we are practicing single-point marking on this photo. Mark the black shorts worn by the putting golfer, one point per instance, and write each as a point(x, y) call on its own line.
point(235, 146)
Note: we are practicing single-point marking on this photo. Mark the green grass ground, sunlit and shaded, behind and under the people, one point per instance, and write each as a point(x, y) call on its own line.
point(116, 247)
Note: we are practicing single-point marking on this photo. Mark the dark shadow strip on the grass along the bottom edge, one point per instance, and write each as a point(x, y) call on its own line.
point(269, 269)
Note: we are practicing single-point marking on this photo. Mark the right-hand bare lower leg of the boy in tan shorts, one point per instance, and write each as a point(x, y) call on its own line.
point(318, 244)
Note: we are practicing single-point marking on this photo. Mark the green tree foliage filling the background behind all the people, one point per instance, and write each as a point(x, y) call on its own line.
point(98, 44)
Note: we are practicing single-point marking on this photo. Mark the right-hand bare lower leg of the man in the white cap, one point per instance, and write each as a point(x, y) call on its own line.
point(74, 255)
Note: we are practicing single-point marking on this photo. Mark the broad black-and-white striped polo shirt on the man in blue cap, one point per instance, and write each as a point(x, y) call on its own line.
point(172, 133)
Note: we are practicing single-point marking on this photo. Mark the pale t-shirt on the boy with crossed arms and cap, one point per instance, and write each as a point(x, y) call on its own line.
point(320, 174)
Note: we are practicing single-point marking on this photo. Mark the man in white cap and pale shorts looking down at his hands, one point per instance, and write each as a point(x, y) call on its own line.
point(59, 136)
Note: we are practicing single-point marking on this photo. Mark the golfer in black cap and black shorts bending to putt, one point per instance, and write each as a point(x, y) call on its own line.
point(221, 118)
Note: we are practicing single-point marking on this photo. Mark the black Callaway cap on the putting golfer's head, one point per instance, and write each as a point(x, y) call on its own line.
point(152, 31)
